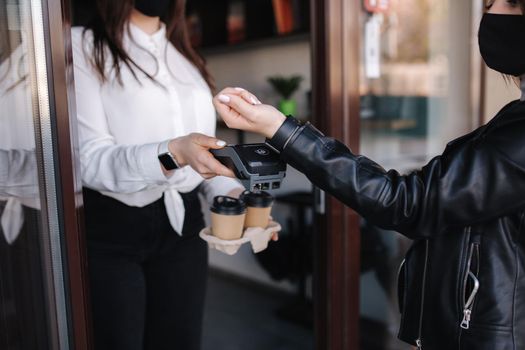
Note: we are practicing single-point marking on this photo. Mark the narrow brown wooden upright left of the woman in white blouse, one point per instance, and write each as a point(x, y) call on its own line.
point(57, 22)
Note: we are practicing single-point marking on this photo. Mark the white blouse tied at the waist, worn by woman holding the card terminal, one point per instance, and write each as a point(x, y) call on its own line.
point(122, 126)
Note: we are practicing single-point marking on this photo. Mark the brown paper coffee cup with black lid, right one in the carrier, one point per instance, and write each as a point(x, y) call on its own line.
point(259, 208)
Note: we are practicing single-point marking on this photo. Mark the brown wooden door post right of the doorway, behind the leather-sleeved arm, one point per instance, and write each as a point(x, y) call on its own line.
point(335, 73)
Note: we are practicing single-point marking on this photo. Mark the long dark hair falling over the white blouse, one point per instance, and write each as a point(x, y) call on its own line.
point(109, 23)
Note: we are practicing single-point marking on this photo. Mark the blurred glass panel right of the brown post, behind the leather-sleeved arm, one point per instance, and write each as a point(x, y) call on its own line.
point(419, 74)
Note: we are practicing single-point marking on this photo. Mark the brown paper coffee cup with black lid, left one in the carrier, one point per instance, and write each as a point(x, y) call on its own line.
point(227, 217)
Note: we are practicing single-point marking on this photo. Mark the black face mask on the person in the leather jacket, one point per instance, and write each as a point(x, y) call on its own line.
point(502, 43)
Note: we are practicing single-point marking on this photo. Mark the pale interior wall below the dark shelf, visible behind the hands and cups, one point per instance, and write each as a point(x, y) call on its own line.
point(250, 69)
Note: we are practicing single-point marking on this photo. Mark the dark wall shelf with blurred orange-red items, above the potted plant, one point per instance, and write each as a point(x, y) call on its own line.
point(224, 26)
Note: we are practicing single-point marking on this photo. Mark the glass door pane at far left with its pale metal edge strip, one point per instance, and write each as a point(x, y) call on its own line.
point(27, 251)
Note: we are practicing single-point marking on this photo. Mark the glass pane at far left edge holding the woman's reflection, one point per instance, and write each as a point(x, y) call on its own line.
point(23, 322)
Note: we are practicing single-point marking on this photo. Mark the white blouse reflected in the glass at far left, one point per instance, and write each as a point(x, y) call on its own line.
point(18, 173)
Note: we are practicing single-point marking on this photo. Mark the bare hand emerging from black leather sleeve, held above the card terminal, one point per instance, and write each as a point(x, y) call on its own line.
point(242, 110)
